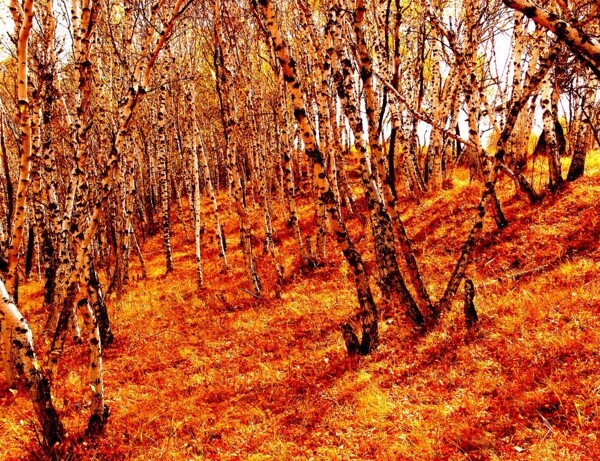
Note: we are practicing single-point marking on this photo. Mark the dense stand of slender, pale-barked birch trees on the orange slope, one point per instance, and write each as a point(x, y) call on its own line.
point(117, 115)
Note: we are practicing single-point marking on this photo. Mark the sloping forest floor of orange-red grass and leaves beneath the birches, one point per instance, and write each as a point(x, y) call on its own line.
point(219, 375)
